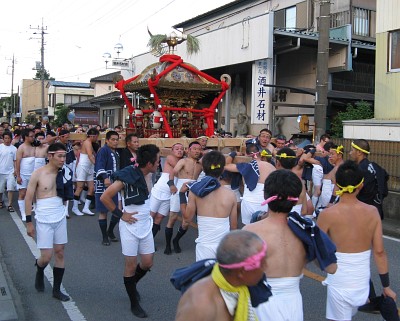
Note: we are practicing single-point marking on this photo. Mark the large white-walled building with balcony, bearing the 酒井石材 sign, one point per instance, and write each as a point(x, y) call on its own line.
point(269, 50)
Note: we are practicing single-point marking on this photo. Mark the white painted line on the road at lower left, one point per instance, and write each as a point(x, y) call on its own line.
point(72, 310)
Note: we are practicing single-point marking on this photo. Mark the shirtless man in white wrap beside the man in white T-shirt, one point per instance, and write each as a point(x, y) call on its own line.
point(24, 167)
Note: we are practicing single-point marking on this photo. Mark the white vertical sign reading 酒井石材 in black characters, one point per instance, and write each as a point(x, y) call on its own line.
point(261, 95)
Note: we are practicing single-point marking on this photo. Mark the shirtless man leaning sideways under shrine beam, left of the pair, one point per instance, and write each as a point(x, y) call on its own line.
point(160, 193)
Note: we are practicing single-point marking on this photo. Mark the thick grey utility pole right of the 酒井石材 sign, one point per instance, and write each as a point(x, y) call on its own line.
point(321, 95)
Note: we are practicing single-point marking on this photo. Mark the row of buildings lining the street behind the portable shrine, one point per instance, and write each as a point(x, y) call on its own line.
point(269, 50)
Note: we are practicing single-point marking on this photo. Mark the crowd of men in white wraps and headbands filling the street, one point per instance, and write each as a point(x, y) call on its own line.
point(277, 183)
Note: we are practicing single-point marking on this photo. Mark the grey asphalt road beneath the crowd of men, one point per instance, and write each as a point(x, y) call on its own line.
point(93, 277)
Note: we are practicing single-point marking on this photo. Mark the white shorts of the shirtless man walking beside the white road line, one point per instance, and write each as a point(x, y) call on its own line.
point(48, 234)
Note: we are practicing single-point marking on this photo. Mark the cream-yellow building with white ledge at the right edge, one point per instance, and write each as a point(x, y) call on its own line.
point(386, 124)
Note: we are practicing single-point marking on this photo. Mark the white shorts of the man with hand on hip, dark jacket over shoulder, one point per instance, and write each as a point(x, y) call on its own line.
point(132, 245)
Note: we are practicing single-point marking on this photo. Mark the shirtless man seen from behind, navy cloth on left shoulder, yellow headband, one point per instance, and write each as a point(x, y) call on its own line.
point(216, 209)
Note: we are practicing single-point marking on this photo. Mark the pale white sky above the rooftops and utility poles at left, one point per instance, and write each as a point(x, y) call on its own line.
point(78, 33)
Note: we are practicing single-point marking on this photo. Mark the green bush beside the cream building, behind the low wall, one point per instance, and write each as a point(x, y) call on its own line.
point(360, 110)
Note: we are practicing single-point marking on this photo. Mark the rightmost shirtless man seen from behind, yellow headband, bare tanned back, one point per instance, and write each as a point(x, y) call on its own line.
point(355, 228)
